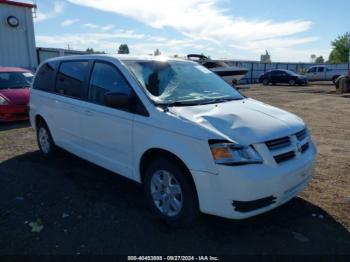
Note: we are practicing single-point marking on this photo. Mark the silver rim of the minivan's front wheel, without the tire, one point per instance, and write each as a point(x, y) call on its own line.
point(166, 193)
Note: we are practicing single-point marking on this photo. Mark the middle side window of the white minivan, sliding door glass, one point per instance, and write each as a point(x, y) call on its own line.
point(70, 78)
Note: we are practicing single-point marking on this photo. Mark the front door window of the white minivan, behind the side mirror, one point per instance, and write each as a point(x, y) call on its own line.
point(106, 78)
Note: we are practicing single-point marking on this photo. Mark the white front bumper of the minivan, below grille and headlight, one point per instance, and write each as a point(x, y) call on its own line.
point(222, 194)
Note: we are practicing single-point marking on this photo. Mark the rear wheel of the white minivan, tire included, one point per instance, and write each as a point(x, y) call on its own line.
point(44, 139)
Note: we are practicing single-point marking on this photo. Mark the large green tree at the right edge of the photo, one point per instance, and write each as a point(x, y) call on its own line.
point(341, 49)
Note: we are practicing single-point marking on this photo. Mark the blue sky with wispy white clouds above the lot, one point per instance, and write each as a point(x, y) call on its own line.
point(289, 30)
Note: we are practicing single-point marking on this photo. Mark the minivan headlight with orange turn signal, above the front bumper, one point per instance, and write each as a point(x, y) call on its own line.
point(233, 154)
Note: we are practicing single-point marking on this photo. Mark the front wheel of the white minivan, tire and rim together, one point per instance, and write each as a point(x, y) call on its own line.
point(170, 192)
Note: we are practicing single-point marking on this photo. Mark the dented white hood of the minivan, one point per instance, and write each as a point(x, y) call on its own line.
point(243, 121)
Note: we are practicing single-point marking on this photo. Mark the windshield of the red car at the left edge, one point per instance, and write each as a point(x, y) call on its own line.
point(12, 80)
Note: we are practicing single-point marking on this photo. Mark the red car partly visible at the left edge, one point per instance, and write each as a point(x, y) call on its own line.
point(14, 93)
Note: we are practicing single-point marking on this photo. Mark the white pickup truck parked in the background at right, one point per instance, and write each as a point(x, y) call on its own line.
point(323, 73)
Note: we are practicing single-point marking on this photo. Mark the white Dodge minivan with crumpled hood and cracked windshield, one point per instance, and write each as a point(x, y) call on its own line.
point(193, 141)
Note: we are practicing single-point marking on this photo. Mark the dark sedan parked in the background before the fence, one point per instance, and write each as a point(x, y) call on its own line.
point(281, 76)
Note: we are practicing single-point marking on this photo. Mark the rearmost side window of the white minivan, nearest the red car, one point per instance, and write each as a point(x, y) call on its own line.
point(45, 77)
